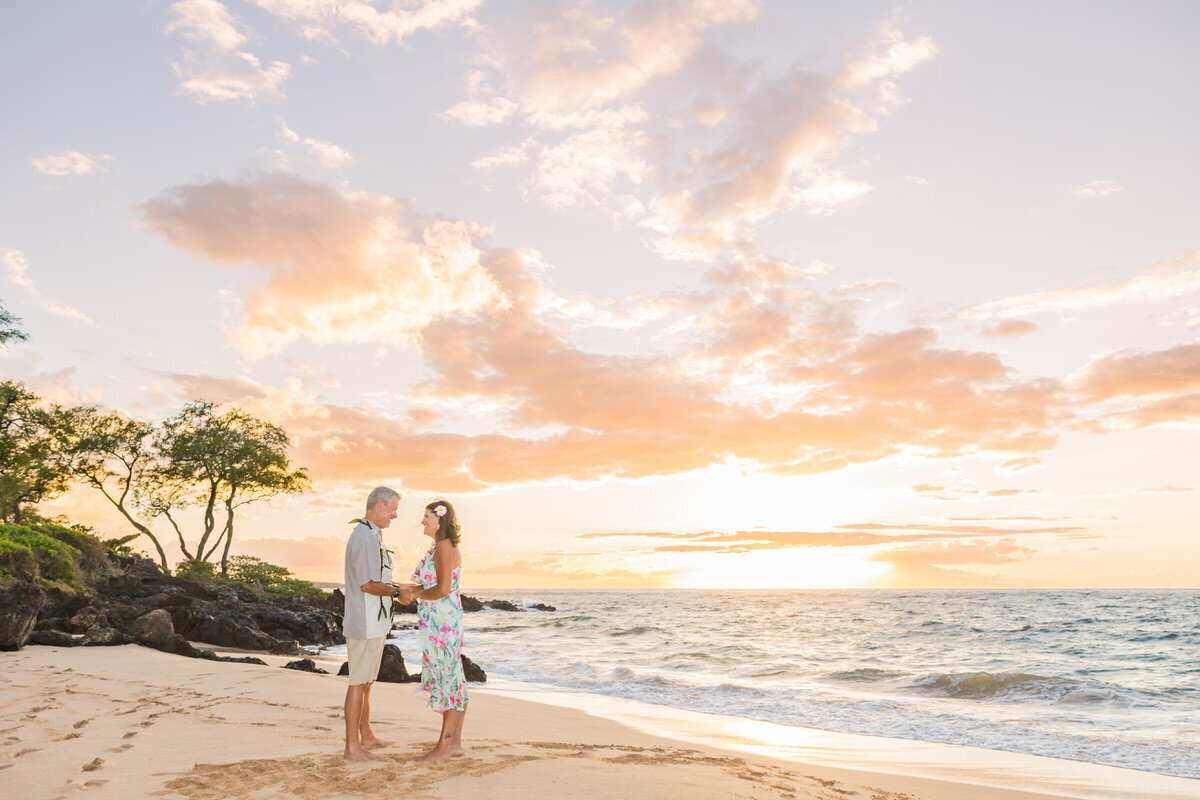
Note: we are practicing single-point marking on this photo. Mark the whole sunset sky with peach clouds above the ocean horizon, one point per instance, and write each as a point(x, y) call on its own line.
point(695, 294)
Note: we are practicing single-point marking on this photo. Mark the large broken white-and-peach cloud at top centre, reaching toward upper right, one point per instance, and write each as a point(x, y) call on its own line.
point(739, 146)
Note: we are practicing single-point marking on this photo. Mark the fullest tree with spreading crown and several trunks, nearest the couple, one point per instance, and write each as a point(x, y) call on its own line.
point(219, 462)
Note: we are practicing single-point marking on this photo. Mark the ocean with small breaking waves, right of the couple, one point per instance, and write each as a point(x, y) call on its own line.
point(1102, 677)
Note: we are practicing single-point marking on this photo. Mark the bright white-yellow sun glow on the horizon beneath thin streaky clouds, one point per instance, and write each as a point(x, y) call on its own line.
point(797, 568)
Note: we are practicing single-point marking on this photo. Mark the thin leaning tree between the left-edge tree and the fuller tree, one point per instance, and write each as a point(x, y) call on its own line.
point(115, 455)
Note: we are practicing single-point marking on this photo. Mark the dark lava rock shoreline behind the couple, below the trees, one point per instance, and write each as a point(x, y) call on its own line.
point(134, 601)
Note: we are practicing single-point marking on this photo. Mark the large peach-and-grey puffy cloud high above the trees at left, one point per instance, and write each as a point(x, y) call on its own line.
point(341, 268)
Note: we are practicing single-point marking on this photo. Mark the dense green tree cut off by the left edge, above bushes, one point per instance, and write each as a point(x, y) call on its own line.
point(34, 450)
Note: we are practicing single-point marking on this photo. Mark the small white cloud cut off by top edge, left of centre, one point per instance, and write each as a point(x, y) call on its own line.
point(320, 19)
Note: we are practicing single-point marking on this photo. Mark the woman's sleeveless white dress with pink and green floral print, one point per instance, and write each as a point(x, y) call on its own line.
point(441, 624)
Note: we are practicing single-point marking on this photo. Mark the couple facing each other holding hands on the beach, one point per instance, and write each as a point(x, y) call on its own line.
point(367, 623)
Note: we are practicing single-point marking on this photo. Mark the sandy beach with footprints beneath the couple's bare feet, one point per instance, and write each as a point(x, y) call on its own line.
point(133, 723)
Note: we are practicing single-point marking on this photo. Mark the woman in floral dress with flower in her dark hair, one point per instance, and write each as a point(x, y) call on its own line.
point(440, 611)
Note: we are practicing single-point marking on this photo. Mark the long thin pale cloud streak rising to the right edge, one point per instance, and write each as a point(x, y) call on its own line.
point(1162, 281)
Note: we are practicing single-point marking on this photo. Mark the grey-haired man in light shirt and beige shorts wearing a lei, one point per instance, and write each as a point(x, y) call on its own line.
point(368, 617)
